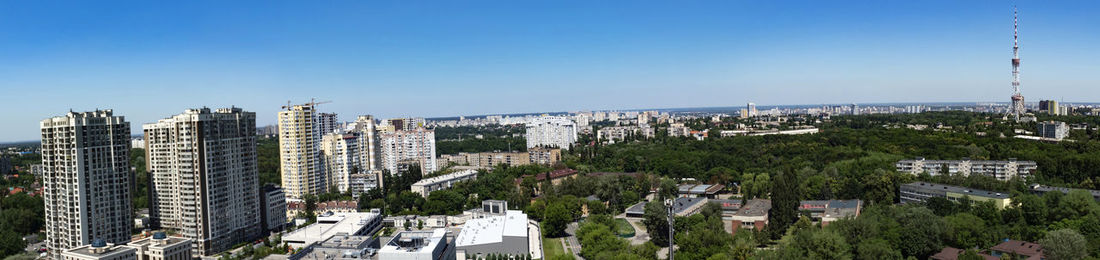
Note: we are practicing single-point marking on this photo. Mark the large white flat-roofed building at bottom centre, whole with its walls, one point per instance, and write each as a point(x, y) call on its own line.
point(501, 234)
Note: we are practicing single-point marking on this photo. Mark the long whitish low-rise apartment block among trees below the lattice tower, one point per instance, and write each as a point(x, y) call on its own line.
point(1000, 170)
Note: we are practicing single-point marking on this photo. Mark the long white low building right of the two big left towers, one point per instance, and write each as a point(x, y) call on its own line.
point(334, 224)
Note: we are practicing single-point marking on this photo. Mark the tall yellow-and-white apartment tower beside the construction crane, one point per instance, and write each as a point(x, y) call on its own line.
point(301, 151)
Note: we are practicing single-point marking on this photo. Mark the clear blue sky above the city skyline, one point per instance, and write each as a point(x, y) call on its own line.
point(149, 60)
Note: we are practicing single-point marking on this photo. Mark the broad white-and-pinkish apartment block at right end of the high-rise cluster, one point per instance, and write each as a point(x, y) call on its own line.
point(416, 145)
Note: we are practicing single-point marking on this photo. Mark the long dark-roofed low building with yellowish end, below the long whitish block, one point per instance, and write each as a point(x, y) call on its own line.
point(920, 192)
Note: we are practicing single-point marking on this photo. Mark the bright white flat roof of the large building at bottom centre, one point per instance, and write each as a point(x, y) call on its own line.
point(493, 230)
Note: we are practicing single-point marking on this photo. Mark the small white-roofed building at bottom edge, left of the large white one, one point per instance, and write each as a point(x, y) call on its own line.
point(419, 246)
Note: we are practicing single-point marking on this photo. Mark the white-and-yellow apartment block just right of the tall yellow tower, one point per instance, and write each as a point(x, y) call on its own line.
point(342, 159)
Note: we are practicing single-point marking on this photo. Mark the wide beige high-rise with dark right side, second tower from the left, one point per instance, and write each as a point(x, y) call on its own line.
point(205, 177)
